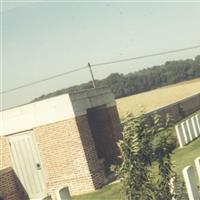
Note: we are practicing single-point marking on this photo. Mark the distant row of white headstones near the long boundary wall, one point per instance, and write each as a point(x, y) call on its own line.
point(188, 130)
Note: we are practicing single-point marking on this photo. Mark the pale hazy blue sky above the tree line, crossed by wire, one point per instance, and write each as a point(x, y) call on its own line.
point(42, 39)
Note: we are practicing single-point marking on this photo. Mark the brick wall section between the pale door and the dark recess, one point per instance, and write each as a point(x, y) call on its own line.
point(64, 158)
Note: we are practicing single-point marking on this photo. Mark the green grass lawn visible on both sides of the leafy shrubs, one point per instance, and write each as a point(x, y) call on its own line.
point(182, 158)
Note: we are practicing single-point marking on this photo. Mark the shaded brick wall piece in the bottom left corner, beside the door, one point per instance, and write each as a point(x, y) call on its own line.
point(10, 187)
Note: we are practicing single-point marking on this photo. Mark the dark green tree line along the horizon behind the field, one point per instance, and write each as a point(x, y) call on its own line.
point(140, 81)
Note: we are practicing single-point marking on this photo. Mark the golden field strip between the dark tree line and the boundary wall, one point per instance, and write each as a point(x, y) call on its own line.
point(148, 101)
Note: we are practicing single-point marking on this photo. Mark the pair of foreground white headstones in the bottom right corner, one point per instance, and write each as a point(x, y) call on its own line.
point(191, 181)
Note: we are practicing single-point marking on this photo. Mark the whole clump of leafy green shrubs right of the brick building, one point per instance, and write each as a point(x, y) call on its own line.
point(138, 153)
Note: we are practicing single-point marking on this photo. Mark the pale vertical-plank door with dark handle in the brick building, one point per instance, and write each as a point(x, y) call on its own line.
point(26, 163)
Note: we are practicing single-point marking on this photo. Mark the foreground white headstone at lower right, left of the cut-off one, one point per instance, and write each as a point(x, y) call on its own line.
point(191, 184)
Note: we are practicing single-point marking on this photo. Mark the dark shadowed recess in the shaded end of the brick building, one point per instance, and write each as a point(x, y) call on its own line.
point(106, 131)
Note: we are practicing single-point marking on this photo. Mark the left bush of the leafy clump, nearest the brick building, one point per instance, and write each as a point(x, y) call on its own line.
point(134, 172)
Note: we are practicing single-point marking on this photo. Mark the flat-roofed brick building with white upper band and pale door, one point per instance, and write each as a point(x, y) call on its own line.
point(68, 140)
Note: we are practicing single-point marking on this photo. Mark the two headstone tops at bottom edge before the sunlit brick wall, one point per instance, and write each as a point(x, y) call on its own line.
point(61, 194)
